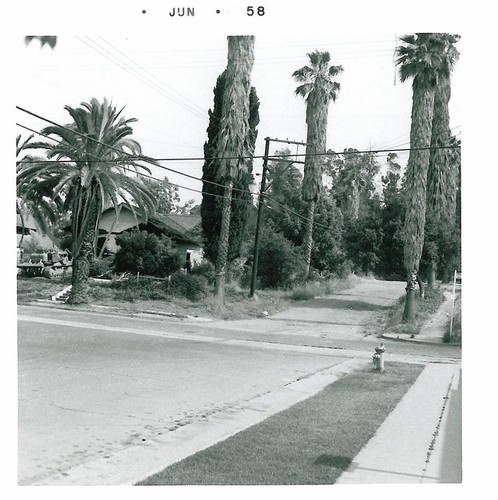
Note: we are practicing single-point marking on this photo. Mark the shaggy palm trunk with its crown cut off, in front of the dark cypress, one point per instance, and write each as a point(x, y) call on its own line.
point(234, 140)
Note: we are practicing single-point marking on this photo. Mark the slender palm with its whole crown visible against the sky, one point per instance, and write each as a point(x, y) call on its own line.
point(318, 89)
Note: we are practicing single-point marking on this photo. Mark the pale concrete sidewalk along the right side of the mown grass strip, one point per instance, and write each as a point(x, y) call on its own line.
point(420, 441)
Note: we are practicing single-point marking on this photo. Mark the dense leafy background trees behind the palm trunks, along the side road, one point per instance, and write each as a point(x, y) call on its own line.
point(359, 224)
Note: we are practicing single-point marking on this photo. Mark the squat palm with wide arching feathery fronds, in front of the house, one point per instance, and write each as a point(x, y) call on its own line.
point(92, 157)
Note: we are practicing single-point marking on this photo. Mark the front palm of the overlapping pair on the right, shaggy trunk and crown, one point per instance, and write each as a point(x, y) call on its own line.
point(423, 57)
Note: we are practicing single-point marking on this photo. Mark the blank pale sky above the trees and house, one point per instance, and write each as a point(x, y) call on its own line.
point(166, 81)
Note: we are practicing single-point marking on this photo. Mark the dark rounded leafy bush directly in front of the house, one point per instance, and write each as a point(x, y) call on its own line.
point(147, 254)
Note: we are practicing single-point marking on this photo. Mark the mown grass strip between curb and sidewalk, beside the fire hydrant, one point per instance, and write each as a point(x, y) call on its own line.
point(312, 442)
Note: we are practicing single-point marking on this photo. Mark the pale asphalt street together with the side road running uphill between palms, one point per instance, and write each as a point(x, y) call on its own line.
point(93, 385)
